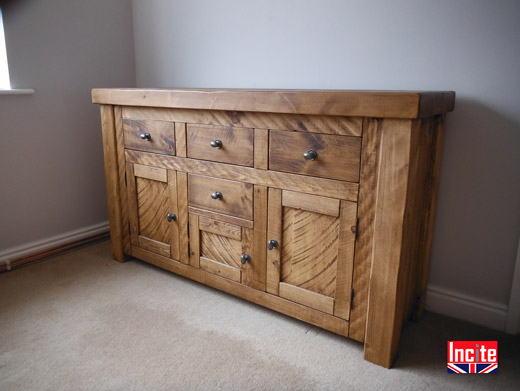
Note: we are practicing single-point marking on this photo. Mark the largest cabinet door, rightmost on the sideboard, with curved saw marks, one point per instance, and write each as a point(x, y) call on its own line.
point(310, 261)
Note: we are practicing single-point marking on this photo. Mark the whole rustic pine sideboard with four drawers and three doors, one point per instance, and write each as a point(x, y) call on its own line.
point(316, 204)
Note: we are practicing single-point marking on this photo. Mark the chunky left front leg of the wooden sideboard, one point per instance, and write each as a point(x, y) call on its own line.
point(112, 181)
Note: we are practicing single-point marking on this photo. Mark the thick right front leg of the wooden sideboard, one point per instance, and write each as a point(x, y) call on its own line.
point(383, 319)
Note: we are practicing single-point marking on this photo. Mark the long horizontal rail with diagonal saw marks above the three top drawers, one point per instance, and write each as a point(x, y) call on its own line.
point(348, 126)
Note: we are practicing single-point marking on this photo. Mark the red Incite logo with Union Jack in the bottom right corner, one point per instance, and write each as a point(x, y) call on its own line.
point(472, 356)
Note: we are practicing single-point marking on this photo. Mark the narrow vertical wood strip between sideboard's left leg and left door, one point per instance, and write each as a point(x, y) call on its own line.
point(120, 145)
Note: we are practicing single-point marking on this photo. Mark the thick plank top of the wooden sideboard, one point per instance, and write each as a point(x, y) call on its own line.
point(380, 104)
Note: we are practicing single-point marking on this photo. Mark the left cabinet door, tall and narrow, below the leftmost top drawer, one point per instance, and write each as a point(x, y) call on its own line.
point(152, 204)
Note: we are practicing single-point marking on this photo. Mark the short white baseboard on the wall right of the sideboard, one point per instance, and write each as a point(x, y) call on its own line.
point(465, 307)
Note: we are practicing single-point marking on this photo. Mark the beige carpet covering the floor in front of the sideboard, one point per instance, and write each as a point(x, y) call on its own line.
point(81, 321)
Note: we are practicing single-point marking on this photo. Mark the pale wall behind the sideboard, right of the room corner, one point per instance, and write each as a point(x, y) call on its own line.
point(470, 46)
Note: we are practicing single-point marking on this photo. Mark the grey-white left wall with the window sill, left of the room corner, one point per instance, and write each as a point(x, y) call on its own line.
point(51, 157)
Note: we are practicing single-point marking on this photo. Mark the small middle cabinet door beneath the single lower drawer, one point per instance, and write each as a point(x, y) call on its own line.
point(220, 247)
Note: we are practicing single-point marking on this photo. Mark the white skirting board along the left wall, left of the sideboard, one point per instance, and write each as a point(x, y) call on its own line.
point(28, 249)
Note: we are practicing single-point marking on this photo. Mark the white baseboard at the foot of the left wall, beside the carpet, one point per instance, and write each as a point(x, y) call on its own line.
point(34, 251)
